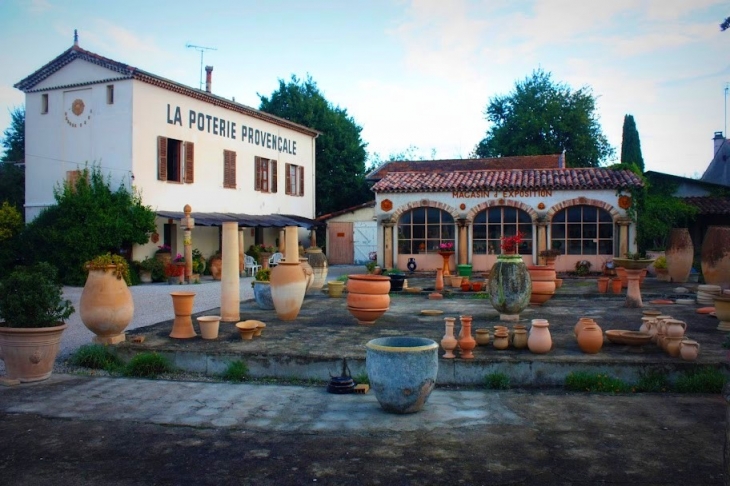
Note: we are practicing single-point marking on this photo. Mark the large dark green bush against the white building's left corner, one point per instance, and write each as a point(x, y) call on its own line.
point(88, 219)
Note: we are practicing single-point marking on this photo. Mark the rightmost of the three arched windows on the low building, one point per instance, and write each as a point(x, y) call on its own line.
point(582, 230)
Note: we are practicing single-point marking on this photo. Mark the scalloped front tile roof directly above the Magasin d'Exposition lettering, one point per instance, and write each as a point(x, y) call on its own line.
point(555, 179)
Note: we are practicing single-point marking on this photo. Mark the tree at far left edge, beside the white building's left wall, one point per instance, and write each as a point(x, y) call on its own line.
point(12, 174)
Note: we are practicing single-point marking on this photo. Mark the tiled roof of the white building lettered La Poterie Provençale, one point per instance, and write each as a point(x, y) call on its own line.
point(125, 71)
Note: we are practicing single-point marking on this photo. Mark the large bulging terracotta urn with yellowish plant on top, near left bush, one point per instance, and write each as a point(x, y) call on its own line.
point(106, 306)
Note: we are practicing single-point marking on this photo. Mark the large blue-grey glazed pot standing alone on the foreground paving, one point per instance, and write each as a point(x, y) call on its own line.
point(402, 371)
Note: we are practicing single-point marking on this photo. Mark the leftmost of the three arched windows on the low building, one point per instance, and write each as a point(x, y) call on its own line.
point(421, 230)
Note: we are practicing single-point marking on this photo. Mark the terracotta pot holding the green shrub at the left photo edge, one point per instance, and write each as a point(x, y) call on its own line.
point(29, 353)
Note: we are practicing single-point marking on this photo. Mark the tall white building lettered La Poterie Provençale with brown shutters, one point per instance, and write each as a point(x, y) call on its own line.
point(177, 145)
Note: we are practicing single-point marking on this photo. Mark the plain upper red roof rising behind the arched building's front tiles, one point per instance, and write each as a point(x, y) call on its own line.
point(495, 163)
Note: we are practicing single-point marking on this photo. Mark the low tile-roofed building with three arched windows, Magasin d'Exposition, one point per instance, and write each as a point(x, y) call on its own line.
point(584, 213)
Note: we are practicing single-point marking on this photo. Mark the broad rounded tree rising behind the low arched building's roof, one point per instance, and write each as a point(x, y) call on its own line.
point(542, 117)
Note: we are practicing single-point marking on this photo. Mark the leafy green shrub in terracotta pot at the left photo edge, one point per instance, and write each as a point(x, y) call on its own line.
point(32, 315)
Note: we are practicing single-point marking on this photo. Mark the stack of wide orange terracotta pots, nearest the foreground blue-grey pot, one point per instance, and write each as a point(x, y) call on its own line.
point(367, 297)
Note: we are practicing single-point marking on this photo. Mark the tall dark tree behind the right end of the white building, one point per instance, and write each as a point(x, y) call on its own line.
point(340, 152)
